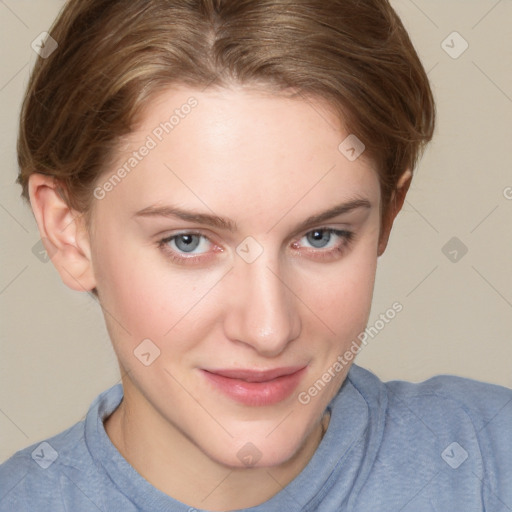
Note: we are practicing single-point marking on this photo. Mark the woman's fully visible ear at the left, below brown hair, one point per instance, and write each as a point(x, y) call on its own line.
point(63, 233)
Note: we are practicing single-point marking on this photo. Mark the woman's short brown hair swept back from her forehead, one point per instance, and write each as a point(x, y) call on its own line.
point(114, 56)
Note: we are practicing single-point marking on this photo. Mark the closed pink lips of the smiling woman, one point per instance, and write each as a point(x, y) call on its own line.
point(256, 387)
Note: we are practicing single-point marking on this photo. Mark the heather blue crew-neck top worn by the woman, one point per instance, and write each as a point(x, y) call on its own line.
point(444, 445)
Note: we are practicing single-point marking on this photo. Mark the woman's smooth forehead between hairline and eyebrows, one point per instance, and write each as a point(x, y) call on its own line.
point(231, 148)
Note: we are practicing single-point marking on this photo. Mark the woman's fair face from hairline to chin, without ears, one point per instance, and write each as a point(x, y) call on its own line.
point(213, 251)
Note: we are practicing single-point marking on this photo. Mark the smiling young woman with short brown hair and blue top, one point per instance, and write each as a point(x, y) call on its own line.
point(223, 177)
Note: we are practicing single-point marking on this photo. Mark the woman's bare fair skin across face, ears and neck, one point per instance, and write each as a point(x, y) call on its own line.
point(267, 163)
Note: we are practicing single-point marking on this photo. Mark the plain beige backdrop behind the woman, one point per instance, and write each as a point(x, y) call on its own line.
point(457, 316)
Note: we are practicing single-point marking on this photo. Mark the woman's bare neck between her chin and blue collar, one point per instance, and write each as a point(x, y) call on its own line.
point(169, 460)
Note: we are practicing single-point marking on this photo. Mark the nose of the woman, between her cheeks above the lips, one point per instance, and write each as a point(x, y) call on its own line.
point(262, 312)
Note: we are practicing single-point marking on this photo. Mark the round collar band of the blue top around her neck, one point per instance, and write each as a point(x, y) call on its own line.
point(350, 420)
